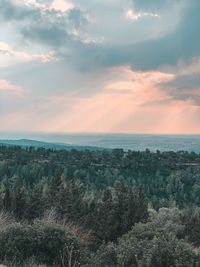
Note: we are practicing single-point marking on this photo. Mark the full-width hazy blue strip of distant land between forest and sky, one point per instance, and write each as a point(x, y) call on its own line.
point(137, 142)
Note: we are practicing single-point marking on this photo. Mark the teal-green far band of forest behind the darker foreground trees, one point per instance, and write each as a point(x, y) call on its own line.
point(167, 178)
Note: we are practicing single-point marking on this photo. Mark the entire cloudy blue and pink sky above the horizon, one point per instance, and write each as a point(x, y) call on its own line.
point(126, 66)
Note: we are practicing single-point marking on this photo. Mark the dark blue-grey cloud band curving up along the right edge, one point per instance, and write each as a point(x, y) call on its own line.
point(181, 43)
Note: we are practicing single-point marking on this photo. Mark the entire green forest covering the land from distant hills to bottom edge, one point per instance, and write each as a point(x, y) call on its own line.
point(99, 208)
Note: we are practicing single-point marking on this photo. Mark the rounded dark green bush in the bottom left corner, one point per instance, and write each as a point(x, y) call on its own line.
point(48, 243)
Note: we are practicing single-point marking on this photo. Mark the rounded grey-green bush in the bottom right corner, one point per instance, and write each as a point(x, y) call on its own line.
point(146, 246)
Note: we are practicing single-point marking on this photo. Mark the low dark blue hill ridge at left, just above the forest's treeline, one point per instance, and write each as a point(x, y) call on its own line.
point(57, 146)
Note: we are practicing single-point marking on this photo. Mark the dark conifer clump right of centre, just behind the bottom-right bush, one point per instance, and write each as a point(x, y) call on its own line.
point(117, 211)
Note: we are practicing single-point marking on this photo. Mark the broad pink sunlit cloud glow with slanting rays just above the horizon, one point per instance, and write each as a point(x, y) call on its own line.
point(144, 108)
